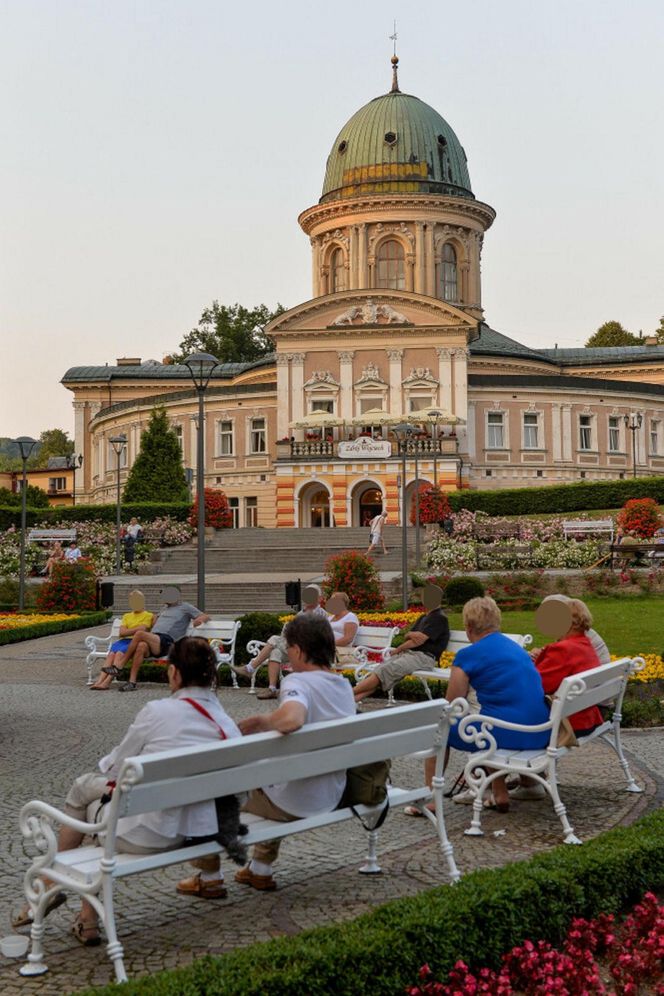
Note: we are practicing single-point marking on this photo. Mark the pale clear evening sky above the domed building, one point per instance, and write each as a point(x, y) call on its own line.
point(156, 155)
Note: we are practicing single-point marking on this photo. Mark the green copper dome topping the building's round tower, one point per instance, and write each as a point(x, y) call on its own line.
point(396, 144)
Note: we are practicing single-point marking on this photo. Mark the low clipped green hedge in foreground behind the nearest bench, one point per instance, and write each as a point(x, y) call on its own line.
point(477, 920)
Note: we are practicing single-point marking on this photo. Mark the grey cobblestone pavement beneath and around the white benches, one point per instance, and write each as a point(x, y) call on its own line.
point(52, 728)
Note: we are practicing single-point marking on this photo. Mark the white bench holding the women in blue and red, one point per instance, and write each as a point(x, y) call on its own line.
point(598, 686)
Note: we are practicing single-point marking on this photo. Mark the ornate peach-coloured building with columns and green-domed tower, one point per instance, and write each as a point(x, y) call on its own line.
point(395, 325)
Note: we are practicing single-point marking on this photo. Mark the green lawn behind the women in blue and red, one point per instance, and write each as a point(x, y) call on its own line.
point(629, 625)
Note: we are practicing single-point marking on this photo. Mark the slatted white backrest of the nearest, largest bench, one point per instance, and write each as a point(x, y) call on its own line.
point(181, 777)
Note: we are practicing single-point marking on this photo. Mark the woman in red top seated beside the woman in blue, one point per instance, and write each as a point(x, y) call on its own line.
point(571, 654)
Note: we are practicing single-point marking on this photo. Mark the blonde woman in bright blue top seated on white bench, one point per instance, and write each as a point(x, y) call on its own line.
point(505, 681)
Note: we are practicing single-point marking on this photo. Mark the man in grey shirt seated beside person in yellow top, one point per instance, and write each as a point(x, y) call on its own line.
point(171, 625)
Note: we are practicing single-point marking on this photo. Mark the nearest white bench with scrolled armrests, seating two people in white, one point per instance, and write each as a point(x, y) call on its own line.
point(152, 782)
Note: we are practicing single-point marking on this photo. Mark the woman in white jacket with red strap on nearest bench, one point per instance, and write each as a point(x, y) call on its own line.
point(191, 715)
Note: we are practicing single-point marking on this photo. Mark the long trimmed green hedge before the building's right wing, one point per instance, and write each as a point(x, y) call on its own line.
point(559, 497)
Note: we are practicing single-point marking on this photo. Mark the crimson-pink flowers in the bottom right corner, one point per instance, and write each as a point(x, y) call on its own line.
point(633, 952)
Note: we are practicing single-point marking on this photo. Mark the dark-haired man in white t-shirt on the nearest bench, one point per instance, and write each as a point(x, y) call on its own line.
point(313, 693)
